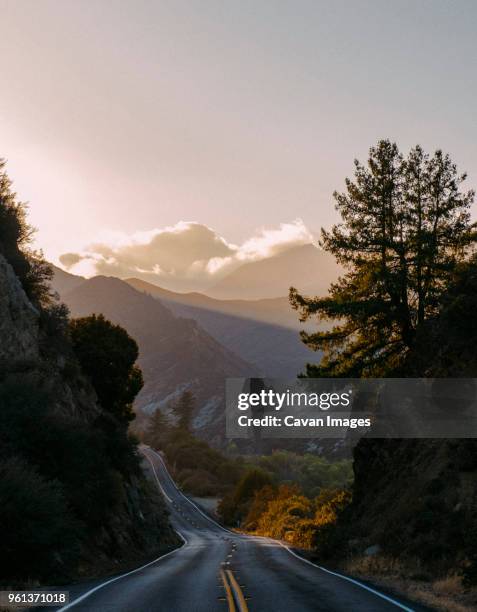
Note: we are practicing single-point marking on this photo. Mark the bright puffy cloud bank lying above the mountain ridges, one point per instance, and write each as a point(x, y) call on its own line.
point(188, 255)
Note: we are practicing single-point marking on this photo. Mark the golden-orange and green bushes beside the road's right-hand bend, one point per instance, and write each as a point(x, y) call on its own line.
point(288, 496)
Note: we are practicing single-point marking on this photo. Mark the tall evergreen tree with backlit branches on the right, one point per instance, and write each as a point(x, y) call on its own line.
point(405, 226)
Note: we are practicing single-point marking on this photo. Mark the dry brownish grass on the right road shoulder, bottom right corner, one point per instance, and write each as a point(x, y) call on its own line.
point(408, 578)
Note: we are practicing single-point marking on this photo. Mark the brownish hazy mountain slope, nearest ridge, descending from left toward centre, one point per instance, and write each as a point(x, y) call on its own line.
point(175, 353)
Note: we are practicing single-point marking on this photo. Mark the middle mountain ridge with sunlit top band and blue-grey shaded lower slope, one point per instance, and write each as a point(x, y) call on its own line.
point(248, 328)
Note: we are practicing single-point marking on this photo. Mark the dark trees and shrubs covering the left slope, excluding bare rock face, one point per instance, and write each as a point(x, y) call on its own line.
point(65, 475)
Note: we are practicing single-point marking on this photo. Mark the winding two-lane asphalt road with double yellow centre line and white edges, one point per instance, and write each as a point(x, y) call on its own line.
point(216, 570)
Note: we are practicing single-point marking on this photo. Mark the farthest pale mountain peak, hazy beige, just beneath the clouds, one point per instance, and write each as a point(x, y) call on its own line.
point(307, 268)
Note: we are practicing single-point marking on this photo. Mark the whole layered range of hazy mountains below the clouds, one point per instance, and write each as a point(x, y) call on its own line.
point(193, 340)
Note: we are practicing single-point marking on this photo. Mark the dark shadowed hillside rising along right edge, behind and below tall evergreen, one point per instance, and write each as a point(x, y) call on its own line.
point(417, 499)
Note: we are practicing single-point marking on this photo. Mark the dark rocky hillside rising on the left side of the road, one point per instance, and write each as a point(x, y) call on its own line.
point(50, 469)
